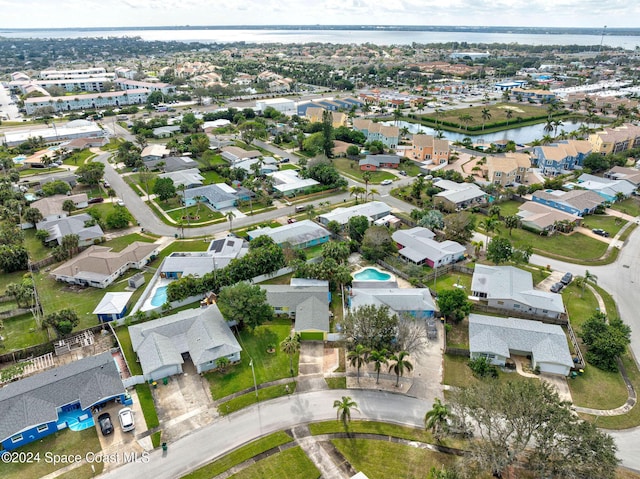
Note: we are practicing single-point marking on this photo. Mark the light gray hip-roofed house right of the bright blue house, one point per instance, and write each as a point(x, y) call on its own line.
point(200, 334)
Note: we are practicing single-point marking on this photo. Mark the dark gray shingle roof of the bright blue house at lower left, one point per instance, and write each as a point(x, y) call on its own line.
point(34, 400)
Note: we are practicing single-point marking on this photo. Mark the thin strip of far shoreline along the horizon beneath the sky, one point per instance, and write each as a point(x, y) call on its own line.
point(380, 28)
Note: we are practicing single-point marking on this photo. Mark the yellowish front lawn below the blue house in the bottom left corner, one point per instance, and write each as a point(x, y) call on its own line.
point(65, 442)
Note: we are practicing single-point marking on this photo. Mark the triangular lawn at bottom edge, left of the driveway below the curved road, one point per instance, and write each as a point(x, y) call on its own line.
point(292, 464)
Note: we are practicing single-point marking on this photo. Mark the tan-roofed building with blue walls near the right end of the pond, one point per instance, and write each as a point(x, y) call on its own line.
point(561, 157)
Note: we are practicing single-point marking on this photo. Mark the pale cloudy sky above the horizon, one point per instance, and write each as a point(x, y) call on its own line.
point(128, 13)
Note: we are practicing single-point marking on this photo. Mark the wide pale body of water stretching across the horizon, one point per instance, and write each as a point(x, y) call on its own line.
point(332, 36)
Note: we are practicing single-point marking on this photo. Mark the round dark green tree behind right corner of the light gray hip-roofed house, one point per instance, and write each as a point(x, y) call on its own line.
point(245, 303)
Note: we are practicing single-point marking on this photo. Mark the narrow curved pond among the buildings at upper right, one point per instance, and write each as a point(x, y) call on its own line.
point(521, 136)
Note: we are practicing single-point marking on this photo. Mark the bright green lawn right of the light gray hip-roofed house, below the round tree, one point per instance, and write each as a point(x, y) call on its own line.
point(268, 366)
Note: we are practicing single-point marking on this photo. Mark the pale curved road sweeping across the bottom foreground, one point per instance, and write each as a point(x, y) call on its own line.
point(226, 434)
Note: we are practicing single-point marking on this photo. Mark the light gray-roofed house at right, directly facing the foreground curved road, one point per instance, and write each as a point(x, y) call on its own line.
point(497, 339)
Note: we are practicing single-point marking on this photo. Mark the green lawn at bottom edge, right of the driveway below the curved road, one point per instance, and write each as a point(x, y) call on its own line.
point(382, 460)
